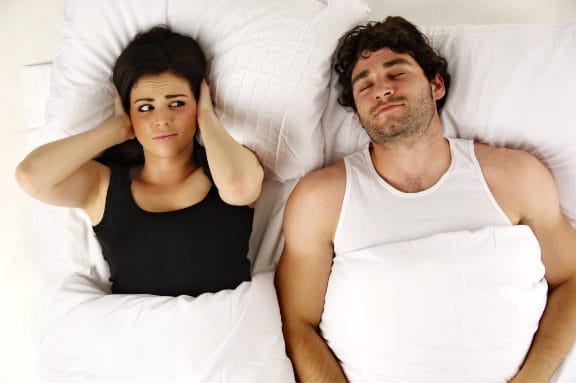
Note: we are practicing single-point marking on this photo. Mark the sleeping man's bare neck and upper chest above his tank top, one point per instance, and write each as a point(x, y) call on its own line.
point(413, 166)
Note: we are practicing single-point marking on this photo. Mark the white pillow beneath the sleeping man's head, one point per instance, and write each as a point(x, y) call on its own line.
point(512, 85)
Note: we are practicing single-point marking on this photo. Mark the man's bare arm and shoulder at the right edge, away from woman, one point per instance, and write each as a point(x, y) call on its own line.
point(527, 192)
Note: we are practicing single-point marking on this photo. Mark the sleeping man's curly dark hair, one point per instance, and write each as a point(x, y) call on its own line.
point(400, 36)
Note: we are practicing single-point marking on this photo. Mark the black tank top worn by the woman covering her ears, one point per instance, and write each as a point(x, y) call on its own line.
point(201, 248)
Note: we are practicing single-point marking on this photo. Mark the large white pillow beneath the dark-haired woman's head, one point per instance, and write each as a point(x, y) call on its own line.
point(269, 65)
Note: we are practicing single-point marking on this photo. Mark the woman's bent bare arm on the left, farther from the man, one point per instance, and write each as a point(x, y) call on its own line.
point(62, 172)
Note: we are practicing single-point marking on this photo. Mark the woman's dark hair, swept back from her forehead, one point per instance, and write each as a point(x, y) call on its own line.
point(156, 51)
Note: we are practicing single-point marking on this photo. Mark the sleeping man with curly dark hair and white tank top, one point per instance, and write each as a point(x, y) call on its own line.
point(396, 83)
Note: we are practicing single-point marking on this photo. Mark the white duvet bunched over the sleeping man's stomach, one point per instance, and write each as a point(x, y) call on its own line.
point(453, 307)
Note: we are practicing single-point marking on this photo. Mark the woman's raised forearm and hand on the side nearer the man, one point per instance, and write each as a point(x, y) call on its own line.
point(235, 169)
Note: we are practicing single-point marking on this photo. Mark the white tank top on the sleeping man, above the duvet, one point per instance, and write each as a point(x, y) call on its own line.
point(374, 213)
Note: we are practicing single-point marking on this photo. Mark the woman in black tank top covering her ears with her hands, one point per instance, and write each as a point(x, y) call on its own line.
point(171, 217)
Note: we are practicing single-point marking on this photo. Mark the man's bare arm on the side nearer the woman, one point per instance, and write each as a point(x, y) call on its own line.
point(310, 219)
